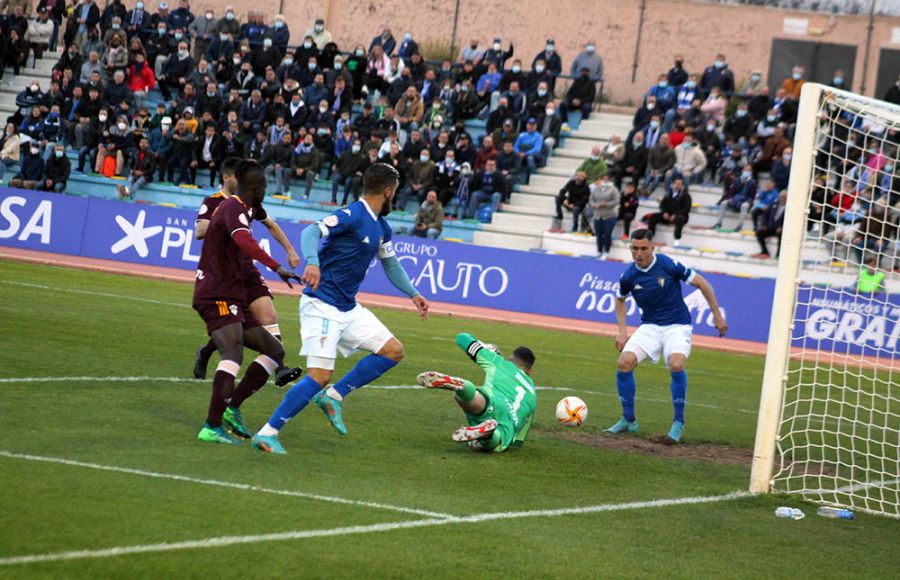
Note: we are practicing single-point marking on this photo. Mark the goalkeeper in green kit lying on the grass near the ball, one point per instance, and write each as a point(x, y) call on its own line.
point(499, 413)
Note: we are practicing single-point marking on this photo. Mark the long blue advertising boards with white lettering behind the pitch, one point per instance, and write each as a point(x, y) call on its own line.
point(579, 290)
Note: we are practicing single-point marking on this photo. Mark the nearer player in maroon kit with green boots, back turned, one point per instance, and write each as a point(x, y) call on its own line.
point(220, 297)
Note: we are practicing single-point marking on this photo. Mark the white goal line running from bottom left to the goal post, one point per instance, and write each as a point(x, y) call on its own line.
point(221, 541)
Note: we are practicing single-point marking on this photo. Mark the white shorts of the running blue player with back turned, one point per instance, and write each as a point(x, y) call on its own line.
point(326, 331)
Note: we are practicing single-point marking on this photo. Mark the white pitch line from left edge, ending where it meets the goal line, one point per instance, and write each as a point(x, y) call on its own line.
point(227, 484)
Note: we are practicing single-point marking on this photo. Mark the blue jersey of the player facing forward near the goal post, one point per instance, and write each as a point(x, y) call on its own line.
point(657, 290)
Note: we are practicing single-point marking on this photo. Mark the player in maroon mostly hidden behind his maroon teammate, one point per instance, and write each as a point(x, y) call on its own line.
point(259, 297)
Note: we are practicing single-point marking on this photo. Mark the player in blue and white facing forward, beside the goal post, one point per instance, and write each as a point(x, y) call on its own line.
point(654, 280)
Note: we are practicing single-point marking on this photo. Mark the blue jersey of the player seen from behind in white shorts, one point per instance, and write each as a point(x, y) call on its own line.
point(353, 236)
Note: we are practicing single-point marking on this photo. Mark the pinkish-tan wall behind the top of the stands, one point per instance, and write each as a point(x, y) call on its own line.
point(697, 30)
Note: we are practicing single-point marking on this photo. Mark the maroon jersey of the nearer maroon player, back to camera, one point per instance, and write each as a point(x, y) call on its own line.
point(221, 271)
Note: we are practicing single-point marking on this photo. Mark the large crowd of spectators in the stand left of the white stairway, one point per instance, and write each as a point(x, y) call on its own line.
point(165, 95)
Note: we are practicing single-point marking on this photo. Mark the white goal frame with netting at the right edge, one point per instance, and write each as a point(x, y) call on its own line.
point(829, 421)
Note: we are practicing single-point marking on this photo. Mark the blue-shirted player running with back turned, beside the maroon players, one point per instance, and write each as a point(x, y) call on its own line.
point(331, 321)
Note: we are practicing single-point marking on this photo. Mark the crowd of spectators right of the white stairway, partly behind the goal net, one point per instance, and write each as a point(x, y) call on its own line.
point(702, 129)
